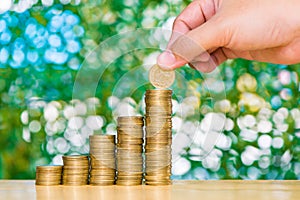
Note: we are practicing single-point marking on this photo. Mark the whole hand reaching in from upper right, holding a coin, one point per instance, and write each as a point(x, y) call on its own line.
point(208, 32)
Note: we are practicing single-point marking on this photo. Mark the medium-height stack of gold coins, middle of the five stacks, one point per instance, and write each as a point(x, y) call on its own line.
point(103, 165)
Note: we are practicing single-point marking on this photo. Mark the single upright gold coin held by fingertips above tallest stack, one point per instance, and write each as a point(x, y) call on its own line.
point(161, 78)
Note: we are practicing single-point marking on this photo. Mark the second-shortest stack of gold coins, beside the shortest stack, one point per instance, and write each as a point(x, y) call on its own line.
point(75, 170)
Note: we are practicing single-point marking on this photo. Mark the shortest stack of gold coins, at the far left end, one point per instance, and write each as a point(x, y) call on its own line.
point(48, 175)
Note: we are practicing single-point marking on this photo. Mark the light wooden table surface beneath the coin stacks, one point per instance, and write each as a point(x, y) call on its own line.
point(186, 190)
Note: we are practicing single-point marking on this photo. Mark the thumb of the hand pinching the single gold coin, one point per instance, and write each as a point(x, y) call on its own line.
point(192, 47)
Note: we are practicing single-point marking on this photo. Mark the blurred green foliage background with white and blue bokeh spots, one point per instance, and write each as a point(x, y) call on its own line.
point(42, 47)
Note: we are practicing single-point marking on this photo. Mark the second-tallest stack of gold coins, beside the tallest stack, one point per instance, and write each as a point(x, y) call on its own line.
point(129, 150)
